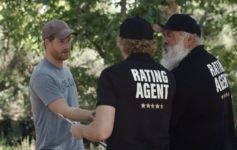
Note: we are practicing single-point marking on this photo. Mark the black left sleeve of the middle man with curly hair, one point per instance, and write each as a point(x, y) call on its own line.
point(105, 90)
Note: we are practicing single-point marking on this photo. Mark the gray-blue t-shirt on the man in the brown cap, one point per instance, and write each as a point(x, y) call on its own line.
point(47, 84)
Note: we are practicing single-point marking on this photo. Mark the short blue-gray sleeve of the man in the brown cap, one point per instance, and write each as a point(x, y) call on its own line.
point(46, 88)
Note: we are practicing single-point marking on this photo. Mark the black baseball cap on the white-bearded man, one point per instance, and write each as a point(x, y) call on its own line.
point(182, 22)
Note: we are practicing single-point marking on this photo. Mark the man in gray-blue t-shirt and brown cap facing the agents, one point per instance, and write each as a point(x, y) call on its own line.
point(53, 92)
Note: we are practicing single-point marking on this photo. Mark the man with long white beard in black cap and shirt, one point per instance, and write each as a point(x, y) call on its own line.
point(202, 116)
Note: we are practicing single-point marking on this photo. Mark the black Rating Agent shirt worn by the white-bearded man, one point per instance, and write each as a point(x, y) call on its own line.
point(202, 116)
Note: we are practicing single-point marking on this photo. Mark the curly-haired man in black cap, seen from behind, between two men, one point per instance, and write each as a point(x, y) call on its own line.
point(134, 96)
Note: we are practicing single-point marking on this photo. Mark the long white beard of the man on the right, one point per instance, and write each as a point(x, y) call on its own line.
point(173, 55)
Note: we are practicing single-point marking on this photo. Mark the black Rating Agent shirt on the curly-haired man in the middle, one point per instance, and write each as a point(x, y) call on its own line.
point(141, 91)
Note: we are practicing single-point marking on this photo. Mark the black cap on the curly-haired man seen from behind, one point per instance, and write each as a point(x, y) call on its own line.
point(136, 28)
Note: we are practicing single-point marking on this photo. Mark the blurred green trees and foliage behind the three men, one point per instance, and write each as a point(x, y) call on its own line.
point(97, 24)
